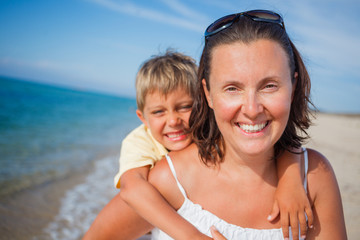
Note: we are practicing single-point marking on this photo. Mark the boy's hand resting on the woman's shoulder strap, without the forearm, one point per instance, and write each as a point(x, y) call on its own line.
point(292, 204)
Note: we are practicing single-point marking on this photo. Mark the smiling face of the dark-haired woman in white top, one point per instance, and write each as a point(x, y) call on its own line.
point(250, 93)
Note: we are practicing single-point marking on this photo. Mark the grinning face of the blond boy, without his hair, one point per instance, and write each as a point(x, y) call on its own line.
point(167, 117)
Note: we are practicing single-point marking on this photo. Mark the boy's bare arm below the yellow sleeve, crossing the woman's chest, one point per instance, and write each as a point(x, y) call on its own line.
point(147, 201)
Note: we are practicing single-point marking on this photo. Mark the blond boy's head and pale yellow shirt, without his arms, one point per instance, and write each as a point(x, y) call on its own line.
point(165, 88)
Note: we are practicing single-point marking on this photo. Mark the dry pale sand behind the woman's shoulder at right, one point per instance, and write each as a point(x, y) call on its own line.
point(338, 138)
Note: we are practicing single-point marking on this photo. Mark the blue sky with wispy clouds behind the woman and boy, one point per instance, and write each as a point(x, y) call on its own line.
point(100, 44)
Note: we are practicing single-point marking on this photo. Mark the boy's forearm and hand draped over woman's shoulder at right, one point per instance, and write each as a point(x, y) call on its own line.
point(290, 198)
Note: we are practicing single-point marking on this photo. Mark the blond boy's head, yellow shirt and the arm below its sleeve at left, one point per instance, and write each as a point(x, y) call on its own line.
point(164, 89)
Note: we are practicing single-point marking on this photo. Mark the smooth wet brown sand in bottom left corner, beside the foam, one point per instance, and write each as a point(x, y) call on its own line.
point(25, 214)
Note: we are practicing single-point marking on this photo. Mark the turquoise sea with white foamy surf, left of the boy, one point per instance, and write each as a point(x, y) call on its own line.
point(48, 133)
